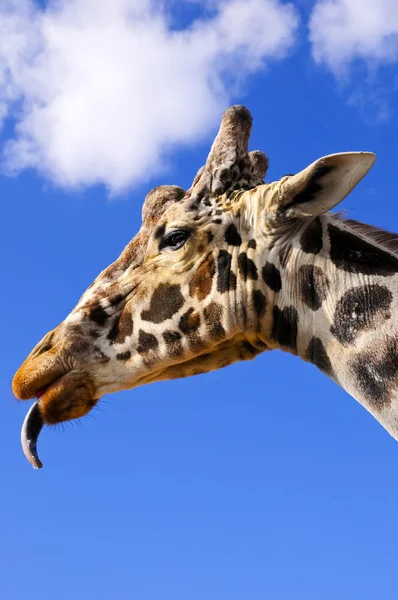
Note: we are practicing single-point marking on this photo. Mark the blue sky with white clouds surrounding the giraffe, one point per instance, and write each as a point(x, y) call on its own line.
point(265, 479)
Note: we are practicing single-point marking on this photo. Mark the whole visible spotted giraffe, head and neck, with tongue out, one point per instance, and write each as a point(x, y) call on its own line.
point(220, 273)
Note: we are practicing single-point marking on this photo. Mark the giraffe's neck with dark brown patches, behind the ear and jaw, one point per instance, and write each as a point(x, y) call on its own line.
point(339, 309)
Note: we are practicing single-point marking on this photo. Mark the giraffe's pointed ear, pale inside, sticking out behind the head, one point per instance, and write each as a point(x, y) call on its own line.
point(324, 184)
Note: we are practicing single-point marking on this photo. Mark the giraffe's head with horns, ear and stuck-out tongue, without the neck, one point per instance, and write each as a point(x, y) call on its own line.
point(194, 290)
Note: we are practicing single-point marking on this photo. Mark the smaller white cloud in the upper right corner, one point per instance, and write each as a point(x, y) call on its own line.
point(344, 30)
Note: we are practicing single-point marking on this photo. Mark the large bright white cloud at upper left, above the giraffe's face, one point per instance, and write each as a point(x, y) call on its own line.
point(101, 89)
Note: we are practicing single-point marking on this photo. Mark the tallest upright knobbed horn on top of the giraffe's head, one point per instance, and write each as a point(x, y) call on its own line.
point(232, 140)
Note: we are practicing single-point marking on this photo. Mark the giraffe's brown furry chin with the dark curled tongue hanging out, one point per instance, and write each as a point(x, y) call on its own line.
point(69, 397)
